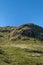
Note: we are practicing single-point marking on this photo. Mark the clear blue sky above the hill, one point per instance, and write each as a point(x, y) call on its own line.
point(18, 12)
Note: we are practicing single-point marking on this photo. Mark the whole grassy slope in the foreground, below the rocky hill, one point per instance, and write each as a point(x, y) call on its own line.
point(21, 56)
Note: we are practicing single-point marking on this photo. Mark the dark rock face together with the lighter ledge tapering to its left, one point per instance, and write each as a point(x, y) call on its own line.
point(27, 32)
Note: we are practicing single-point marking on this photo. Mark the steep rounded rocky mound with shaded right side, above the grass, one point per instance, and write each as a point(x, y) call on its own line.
point(28, 30)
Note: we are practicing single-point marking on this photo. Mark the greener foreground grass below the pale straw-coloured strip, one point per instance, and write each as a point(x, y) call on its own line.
point(18, 56)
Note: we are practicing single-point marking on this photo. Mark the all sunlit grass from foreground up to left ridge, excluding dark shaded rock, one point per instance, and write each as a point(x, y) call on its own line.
point(20, 52)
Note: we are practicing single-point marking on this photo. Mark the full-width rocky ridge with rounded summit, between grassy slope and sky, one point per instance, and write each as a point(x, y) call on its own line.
point(21, 32)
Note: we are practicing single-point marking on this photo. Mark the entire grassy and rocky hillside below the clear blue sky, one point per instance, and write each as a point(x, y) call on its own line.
point(21, 45)
